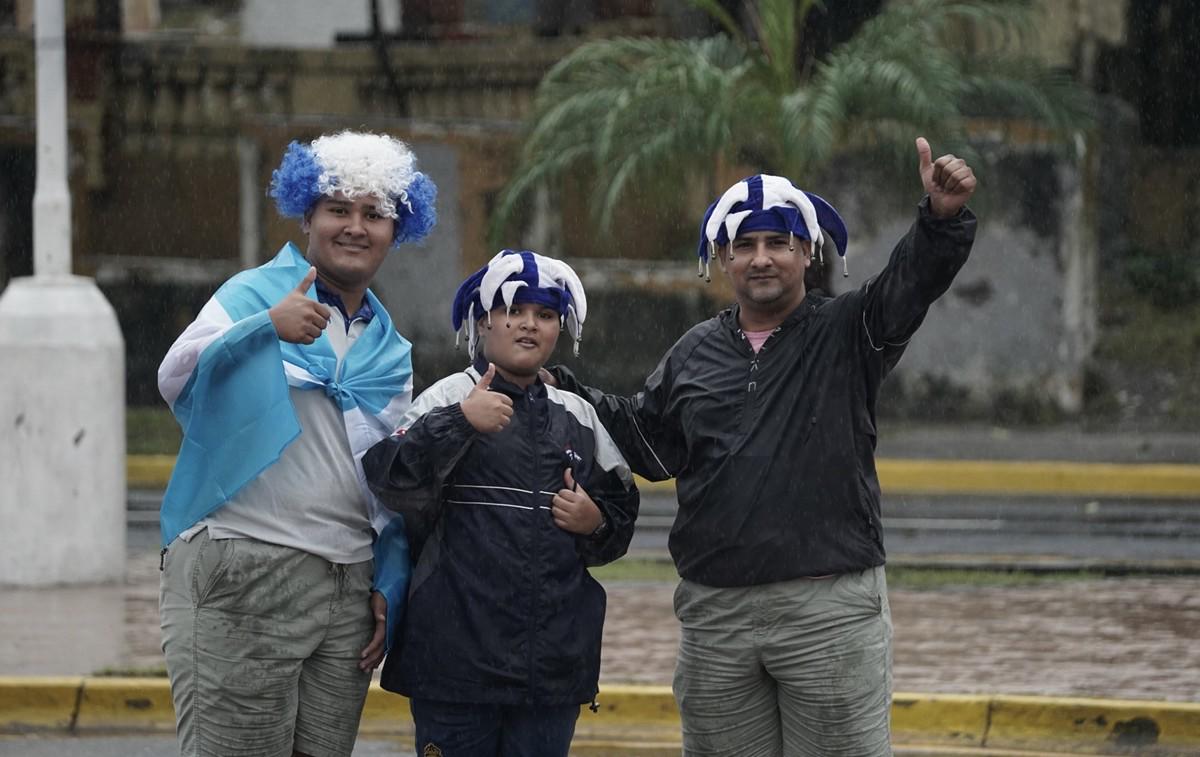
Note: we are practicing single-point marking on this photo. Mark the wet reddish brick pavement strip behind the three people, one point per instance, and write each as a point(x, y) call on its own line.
point(1114, 638)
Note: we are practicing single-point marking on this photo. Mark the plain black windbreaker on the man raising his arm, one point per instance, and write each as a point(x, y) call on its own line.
point(775, 454)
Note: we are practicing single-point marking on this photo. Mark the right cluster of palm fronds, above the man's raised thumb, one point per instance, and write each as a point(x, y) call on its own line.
point(898, 79)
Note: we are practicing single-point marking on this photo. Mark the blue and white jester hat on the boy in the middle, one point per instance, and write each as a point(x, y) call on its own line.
point(520, 277)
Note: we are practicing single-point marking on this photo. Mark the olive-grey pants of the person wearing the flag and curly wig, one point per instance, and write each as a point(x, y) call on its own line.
point(262, 646)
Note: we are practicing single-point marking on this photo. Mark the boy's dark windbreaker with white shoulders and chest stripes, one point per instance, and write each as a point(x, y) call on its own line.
point(501, 609)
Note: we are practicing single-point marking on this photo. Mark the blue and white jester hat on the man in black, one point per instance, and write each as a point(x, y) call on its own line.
point(766, 203)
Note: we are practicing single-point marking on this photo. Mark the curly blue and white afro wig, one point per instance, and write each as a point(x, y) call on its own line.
point(358, 165)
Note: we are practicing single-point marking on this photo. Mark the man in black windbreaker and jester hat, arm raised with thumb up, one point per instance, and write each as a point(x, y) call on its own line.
point(765, 416)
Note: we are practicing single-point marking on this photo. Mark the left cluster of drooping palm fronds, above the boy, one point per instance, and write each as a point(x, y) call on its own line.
point(631, 110)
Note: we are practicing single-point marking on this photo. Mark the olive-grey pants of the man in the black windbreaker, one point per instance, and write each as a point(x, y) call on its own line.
point(800, 669)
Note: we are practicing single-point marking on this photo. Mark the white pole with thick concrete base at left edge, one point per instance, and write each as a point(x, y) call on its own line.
point(62, 378)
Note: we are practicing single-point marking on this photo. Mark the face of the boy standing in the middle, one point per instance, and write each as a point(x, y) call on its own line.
point(520, 340)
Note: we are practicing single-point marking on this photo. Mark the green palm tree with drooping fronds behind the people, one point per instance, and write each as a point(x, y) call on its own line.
point(657, 112)
